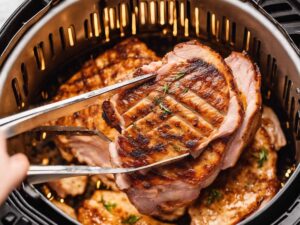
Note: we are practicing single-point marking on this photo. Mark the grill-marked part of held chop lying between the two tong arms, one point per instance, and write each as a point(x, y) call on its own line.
point(192, 102)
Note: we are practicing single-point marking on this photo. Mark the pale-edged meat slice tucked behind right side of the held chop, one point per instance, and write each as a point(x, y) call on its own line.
point(248, 79)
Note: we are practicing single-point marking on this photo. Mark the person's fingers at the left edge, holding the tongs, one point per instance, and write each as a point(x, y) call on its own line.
point(13, 170)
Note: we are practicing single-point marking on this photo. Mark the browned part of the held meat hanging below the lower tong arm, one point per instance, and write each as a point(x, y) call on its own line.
point(166, 191)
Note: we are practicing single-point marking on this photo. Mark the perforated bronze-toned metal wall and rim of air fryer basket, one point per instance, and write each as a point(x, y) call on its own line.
point(75, 27)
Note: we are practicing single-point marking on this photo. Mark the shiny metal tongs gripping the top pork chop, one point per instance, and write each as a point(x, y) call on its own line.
point(30, 119)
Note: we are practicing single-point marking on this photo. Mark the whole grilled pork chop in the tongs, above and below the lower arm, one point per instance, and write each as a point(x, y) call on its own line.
point(166, 191)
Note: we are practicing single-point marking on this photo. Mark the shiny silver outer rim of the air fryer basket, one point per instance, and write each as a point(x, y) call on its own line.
point(238, 4)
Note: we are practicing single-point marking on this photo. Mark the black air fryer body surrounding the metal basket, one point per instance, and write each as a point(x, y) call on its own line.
point(27, 206)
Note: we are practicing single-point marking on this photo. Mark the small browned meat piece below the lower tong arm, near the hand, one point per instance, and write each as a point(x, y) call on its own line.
point(69, 186)
